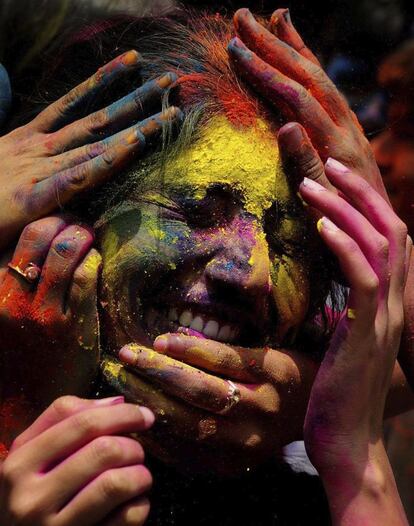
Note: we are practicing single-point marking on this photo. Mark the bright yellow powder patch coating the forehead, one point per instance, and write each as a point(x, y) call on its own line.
point(245, 158)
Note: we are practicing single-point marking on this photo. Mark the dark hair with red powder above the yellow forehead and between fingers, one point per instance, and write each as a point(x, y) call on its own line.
point(194, 46)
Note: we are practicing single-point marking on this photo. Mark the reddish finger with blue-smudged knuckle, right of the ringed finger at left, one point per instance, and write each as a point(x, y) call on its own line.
point(67, 250)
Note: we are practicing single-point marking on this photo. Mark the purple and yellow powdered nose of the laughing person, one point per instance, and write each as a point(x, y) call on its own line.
point(240, 260)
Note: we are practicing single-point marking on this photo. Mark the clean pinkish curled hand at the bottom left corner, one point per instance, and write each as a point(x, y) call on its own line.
point(74, 465)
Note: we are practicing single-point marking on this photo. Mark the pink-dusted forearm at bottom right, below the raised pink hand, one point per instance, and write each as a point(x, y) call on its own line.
point(363, 493)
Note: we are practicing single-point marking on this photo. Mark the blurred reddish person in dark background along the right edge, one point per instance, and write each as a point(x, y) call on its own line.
point(394, 152)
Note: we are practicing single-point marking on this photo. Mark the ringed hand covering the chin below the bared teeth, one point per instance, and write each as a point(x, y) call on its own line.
point(202, 420)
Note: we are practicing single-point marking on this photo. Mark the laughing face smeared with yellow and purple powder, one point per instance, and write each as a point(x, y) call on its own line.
point(213, 246)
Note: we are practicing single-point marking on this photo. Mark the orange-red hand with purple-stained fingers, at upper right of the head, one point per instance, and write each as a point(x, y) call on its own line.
point(289, 76)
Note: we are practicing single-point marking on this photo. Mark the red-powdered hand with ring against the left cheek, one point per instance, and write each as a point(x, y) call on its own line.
point(49, 322)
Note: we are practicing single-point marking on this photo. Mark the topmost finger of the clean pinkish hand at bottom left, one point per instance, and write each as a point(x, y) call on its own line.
point(60, 409)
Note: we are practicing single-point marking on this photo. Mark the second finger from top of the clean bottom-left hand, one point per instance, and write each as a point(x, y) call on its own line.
point(69, 435)
